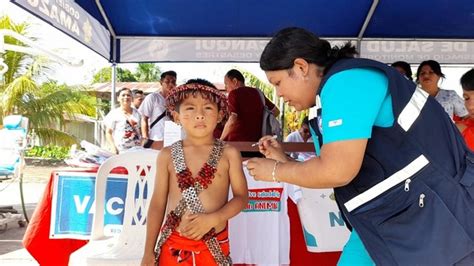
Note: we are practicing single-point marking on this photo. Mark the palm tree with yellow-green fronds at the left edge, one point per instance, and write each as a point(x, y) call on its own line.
point(45, 105)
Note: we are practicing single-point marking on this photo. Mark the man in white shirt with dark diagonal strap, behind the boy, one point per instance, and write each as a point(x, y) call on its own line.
point(153, 109)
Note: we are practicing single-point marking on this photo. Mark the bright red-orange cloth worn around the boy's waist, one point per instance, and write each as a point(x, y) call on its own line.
point(180, 248)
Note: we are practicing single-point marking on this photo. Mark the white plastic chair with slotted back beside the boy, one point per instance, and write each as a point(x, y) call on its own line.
point(126, 248)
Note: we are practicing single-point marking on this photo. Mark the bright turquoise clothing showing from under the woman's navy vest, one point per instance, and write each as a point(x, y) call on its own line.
point(353, 101)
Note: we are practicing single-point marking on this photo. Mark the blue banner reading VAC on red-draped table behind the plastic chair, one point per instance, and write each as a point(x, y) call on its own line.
point(73, 201)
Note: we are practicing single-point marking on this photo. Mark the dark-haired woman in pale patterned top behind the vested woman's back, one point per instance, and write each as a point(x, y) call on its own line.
point(428, 75)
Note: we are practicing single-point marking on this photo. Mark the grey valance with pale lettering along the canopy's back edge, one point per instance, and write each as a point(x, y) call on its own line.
point(174, 49)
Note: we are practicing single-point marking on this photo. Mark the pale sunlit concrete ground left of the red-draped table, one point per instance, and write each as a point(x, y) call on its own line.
point(12, 251)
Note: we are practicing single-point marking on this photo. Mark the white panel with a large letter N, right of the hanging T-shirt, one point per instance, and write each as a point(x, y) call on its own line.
point(323, 227)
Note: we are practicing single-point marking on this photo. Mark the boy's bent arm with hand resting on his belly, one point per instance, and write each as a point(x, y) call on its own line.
point(200, 224)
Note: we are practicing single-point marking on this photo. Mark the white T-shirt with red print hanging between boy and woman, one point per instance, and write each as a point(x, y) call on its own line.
point(261, 233)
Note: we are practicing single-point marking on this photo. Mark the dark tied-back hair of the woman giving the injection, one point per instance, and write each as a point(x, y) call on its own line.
point(291, 43)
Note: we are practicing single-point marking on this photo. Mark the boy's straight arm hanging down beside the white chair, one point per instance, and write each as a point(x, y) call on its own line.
point(157, 208)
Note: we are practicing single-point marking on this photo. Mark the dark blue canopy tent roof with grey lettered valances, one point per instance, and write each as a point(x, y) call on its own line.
point(237, 30)
